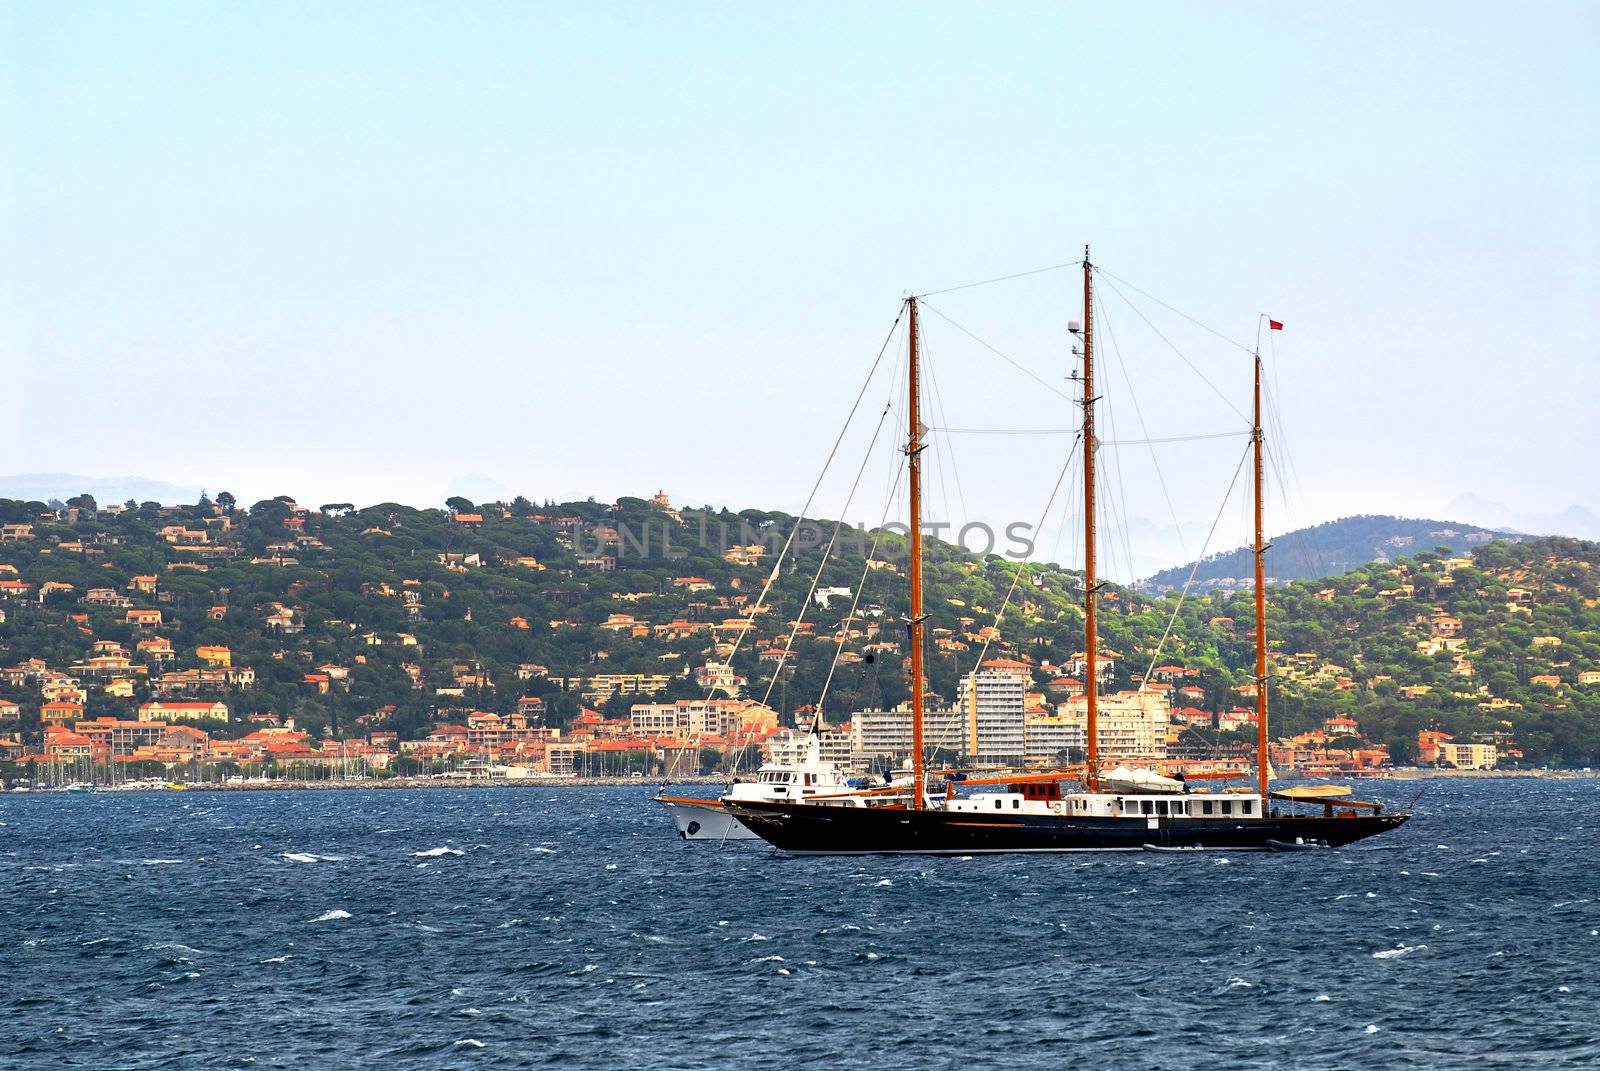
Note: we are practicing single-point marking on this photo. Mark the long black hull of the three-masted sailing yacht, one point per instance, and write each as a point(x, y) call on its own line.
point(884, 832)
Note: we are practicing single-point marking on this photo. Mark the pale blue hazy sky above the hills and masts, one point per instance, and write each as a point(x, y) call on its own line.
point(393, 252)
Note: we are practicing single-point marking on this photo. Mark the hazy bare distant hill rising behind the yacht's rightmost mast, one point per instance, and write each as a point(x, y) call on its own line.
point(1330, 550)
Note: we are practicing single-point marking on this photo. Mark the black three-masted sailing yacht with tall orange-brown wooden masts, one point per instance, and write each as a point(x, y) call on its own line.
point(1118, 811)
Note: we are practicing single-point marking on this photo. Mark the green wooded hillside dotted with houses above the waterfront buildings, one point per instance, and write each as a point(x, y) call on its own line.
point(404, 619)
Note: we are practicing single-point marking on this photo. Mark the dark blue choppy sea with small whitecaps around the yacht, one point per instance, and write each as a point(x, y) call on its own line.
point(532, 928)
